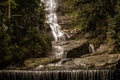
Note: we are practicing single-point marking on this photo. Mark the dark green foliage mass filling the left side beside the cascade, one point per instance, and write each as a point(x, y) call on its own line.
point(24, 34)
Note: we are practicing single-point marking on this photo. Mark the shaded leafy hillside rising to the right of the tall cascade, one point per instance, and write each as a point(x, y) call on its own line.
point(99, 18)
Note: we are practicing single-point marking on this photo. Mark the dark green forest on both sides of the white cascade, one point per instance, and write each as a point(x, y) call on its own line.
point(24, 33)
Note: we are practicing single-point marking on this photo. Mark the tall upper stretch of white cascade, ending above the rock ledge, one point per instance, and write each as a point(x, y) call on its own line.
point(51, 6)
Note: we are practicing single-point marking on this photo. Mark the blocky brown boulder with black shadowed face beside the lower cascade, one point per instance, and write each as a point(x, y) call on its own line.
point(74, 48)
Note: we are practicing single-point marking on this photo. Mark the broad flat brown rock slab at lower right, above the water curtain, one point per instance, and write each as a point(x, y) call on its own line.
point(104, 61)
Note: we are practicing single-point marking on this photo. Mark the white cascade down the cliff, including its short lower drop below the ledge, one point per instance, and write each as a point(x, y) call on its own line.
point(51, 7)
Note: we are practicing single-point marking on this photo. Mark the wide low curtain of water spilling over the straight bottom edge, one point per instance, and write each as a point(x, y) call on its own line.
point(60, 75)
